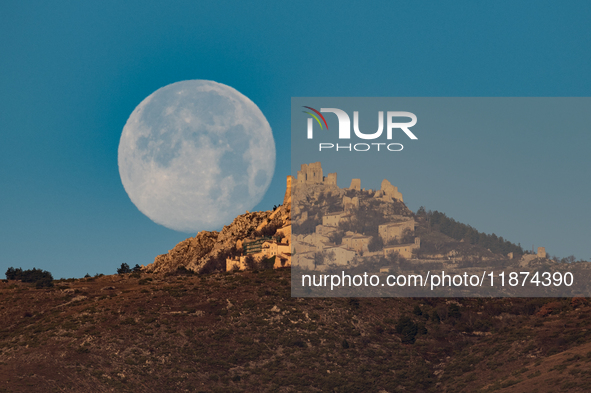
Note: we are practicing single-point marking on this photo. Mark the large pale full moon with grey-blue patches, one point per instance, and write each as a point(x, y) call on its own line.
point(195, 154)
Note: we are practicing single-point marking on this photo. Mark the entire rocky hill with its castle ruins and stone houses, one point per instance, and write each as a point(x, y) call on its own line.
point(321, 226)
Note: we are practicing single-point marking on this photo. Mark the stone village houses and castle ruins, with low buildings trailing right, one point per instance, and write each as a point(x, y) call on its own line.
point(325, 226)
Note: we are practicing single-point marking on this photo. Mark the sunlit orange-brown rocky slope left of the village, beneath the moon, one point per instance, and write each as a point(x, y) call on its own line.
point(195, 252)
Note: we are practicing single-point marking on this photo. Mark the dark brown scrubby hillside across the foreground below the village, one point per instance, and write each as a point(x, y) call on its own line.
point(244, 332)
